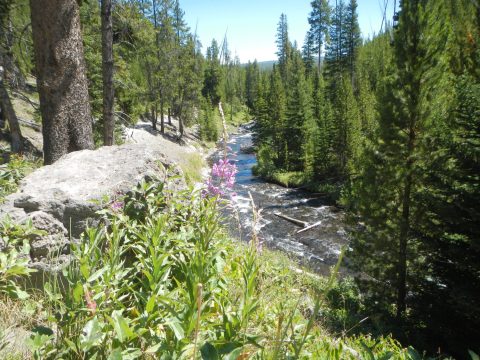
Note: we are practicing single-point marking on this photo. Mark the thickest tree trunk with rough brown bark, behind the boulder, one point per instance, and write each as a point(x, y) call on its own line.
point(61, 78)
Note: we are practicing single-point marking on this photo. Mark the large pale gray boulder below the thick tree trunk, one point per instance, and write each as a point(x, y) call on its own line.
point(75, 187)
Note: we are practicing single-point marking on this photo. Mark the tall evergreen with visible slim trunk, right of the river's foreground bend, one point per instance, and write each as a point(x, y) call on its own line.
point(388, 180)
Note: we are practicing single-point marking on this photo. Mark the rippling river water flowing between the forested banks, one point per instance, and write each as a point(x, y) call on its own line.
point(318, 247)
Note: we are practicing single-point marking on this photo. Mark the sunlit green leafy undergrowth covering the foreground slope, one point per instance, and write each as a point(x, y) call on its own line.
point(161, 280)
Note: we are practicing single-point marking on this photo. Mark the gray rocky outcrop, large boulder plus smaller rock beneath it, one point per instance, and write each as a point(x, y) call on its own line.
point(64, 197)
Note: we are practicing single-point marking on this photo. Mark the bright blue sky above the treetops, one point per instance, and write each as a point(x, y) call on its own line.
point(251, 24)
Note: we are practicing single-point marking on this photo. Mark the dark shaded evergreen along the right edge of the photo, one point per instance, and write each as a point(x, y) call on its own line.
point(449, 197)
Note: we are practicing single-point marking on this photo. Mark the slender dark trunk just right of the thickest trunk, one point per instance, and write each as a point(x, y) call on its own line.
point(107, 71)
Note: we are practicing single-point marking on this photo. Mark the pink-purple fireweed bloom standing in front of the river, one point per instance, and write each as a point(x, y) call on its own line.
point(222, 179)
